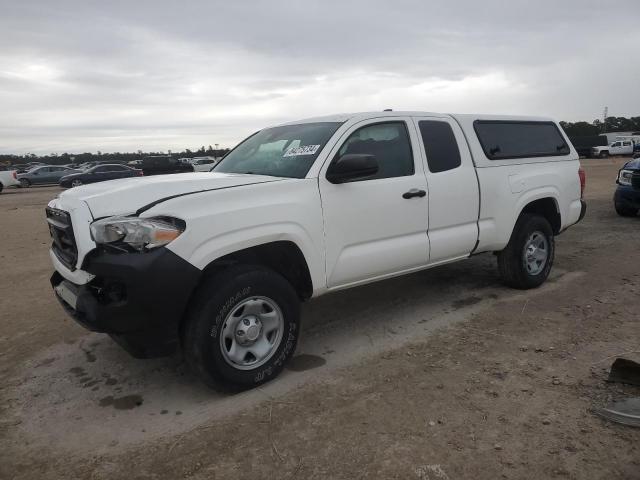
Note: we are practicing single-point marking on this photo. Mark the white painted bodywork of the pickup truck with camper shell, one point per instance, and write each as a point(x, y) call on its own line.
point(351, 233)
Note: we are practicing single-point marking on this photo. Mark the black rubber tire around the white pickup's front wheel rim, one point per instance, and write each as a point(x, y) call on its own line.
point(215, 300)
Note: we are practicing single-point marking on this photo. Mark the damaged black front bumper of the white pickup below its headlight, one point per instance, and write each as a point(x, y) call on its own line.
point(137, 298)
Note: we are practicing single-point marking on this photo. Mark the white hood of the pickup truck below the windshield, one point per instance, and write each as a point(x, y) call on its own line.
point(129, 195)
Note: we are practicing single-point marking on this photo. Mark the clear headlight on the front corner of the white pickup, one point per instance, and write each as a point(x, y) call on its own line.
point(138, 233)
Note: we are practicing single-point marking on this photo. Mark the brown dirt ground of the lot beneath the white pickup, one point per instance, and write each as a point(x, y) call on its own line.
point(442, 374)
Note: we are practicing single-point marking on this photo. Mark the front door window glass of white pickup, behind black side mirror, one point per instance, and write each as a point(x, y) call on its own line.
point(388, 142)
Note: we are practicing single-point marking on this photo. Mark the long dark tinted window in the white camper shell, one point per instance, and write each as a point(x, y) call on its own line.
point(503, 139)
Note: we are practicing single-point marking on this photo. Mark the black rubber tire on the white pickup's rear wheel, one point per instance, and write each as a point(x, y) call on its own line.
point(512, 261)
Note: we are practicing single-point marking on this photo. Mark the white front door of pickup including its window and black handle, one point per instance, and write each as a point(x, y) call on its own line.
point(376, 227)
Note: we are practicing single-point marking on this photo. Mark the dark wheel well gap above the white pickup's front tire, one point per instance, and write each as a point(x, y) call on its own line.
point(283, 257)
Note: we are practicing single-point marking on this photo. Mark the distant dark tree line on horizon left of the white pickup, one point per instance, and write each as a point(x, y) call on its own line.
point(116, 157)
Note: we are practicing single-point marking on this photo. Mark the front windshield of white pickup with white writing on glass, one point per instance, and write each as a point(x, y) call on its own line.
point(286, 151)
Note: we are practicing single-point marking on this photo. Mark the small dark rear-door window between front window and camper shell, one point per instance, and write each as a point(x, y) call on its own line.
point(440, 145)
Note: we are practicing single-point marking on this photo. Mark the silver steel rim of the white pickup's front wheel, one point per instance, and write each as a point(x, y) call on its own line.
point(251, 333)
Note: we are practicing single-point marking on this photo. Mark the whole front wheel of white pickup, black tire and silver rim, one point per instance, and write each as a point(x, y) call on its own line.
point(243, 327)
